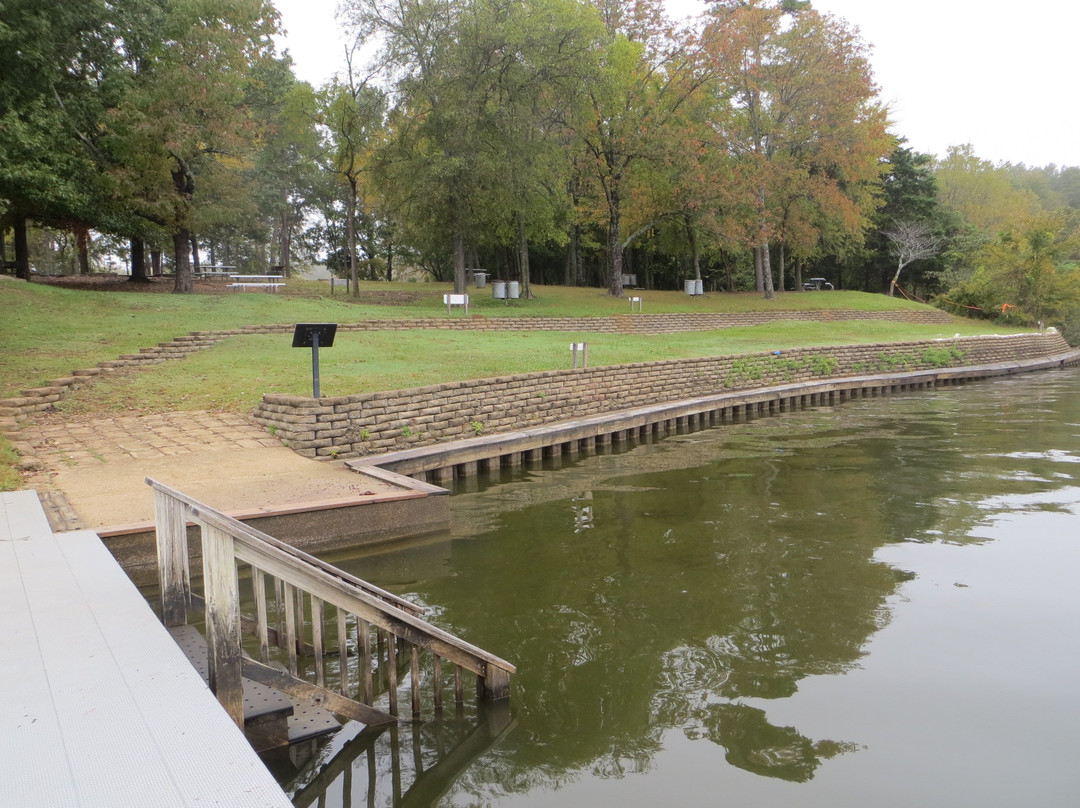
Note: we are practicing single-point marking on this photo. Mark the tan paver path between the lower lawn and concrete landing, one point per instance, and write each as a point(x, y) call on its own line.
point(76, 442)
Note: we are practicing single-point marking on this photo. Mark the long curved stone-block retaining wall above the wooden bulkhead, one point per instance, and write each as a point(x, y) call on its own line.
point(357, 426)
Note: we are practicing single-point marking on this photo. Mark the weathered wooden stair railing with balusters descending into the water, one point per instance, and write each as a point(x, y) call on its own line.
point(303, 586)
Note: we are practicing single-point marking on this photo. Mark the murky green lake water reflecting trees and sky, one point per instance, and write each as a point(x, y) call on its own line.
point(873, 604)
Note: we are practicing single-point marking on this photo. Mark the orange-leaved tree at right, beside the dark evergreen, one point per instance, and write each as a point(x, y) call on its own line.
point(804, 122)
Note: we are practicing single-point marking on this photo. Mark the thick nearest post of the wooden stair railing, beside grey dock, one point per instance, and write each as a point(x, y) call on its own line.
point(222, 592)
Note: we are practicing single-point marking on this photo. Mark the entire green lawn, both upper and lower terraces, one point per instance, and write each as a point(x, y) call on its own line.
point(48, 332)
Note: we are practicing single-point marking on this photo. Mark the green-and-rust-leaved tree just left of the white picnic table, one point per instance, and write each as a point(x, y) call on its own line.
point(184, 120)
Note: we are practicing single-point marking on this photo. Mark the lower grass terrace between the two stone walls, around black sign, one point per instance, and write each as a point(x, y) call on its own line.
point(236, 373)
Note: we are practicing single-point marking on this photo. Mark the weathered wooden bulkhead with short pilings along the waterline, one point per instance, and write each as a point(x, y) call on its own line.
point(441, 464)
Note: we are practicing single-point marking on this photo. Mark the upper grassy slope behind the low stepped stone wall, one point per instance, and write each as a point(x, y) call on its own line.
point(48, 332)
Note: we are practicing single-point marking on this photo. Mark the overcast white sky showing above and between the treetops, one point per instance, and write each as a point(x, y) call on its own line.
point(1000, 77)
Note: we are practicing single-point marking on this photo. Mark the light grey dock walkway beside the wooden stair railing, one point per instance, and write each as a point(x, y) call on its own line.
point(99, 706)
